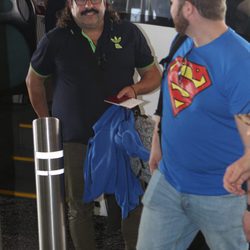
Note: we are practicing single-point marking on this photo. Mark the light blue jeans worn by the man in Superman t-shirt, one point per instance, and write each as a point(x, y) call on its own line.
point(170, 219)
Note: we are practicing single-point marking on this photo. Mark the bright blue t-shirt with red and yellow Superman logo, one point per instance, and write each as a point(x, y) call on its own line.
point(204, 88)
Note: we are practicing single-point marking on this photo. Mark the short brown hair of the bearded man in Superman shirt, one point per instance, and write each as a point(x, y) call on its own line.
point(210, 9)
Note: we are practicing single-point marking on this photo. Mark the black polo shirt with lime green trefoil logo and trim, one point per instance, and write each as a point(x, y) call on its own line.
point(85, 75)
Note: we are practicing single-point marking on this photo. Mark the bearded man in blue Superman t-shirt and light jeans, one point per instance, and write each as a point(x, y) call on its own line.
point(205, 95)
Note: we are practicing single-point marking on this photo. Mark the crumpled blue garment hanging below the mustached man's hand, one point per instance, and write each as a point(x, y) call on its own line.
point(107, 166)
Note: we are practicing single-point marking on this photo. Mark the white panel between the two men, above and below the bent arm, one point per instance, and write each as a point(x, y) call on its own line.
point(159, 39)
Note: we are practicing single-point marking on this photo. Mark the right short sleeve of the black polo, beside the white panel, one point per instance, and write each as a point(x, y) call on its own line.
point(143, 55)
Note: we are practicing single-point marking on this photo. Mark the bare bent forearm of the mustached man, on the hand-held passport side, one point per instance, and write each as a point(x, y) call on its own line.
point(150, 80)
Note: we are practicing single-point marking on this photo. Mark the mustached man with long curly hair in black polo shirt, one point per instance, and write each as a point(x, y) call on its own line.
point(92, 55)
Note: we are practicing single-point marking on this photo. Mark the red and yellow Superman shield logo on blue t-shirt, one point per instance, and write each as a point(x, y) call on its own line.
point(185, 81)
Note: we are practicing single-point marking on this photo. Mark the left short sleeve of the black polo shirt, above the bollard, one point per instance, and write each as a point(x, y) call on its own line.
point(43, 58)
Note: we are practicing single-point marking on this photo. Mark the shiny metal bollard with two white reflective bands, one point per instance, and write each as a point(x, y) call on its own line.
point(49, 170)
